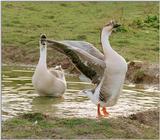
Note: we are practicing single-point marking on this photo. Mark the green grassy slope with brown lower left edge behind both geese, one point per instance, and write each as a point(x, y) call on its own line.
point(23, 22)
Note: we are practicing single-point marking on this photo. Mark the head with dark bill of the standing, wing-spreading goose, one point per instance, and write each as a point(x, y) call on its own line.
point(109, 27)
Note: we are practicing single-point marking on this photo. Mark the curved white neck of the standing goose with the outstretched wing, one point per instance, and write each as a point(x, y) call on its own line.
point(105, 43)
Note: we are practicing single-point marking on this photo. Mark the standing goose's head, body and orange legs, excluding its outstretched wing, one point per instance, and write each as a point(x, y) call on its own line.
point(108, 90)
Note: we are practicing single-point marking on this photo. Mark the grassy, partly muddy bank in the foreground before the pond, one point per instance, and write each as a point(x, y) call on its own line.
point(142, 125)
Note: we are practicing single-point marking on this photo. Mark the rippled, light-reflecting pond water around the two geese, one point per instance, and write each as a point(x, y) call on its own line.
point(19, 96)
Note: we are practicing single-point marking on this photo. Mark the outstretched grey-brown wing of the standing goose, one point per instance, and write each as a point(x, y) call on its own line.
point(83, 55)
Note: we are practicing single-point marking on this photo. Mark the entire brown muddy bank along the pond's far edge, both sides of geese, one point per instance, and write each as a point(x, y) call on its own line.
point(138, 72)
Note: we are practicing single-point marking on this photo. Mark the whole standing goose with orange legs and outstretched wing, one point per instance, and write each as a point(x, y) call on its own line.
point(107, 70)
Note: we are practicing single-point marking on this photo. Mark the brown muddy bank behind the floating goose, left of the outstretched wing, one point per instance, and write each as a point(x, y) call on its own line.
point(30, 56)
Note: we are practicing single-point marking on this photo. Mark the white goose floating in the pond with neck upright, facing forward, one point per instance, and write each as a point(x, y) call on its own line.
point(48, 82)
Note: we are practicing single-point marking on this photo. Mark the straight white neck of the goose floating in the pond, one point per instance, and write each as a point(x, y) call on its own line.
point(43, 57)
